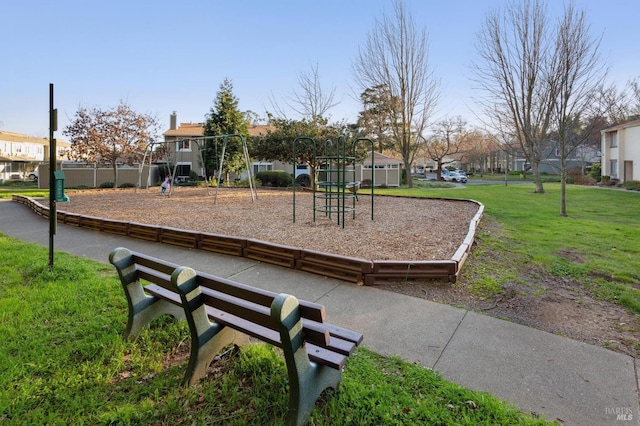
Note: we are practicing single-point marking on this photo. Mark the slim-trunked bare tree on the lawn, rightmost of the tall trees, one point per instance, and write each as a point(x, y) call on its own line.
point(577, 76)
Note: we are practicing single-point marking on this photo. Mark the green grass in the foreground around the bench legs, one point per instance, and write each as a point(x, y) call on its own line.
point(63, 361)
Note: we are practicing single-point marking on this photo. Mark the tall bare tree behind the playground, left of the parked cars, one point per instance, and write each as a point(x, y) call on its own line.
point(395, 56)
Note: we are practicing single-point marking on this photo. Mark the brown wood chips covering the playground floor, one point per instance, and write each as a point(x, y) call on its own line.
point(402, 229)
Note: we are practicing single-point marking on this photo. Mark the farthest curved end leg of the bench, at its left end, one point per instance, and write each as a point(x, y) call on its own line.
point(142, 308)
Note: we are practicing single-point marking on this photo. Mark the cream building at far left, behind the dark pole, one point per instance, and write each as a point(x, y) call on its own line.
point(20, 154)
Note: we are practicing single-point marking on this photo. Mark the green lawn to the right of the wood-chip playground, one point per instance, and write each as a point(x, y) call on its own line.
point(597, 244)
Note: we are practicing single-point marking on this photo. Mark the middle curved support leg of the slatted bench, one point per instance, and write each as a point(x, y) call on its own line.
point(207, 338)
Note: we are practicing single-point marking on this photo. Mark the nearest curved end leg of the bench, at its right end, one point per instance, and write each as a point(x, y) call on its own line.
point(307, 380)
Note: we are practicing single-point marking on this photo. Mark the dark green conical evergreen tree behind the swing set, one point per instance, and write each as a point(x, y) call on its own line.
point(224, 118)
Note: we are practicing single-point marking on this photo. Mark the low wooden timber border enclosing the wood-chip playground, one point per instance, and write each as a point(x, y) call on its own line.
point(351, 269)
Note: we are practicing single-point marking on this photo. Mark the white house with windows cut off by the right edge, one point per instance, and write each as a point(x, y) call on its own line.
point(621, 151)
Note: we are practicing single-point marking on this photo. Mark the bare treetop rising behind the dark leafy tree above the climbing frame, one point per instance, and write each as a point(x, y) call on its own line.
point(311, 101)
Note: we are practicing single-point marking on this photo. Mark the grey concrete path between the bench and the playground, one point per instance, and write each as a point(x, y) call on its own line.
point(573, 382)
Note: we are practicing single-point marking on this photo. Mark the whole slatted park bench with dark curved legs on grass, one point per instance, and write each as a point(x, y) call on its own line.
point(222, 312)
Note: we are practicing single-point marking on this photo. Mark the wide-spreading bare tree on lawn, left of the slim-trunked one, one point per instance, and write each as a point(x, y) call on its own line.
point(515, 73)
